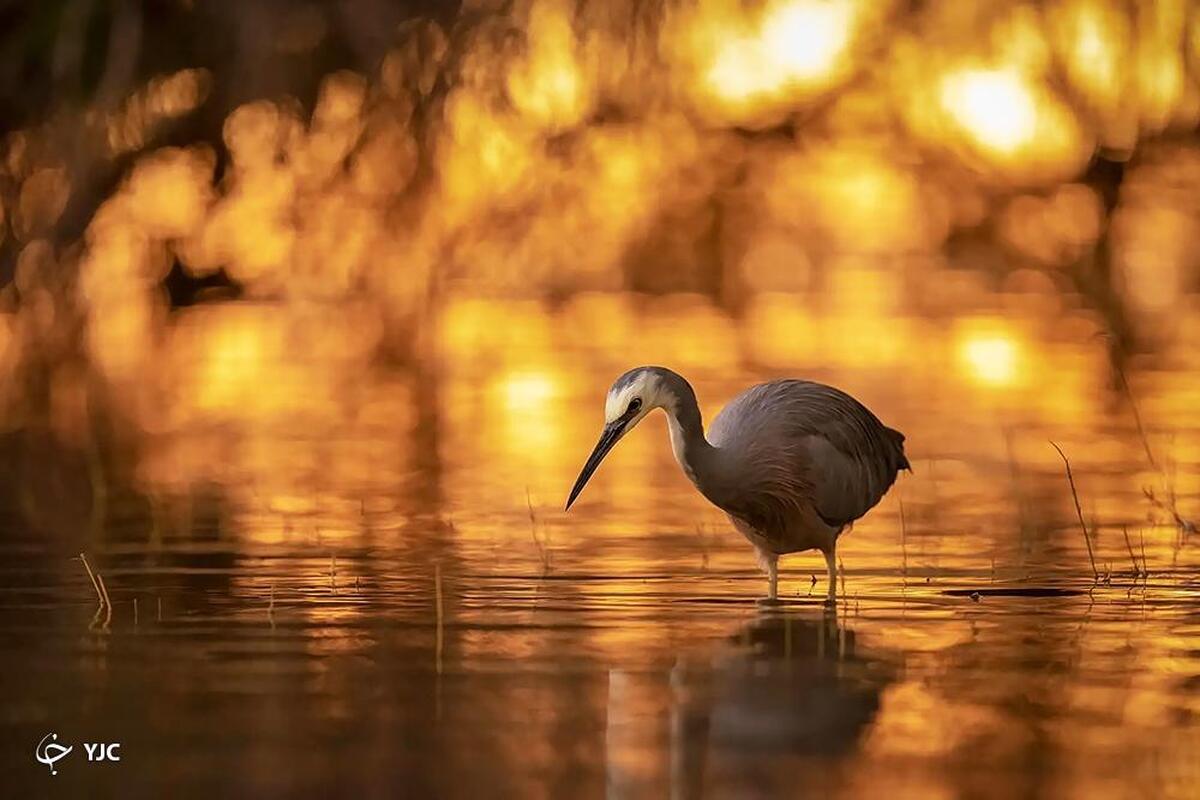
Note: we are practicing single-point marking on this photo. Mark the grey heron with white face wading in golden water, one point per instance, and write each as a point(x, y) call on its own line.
point(793, 464)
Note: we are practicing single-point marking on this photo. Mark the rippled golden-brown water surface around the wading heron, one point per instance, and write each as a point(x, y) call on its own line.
point(386, 599)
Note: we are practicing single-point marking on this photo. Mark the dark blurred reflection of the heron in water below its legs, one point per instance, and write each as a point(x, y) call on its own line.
point(789, 696)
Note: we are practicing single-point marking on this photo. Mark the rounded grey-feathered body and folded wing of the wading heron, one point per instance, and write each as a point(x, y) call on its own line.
point(800, 443)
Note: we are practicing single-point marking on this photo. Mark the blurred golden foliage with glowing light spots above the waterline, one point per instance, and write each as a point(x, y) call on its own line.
point(382, 158)
